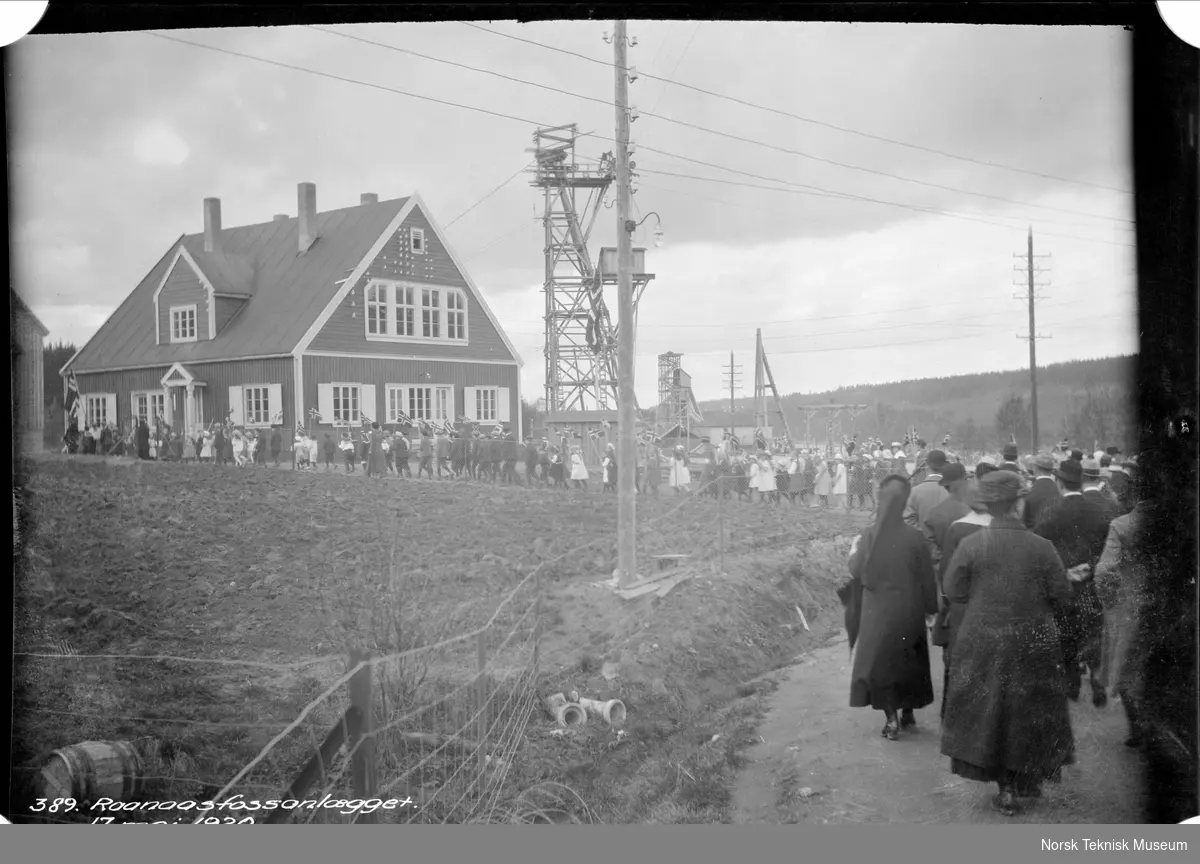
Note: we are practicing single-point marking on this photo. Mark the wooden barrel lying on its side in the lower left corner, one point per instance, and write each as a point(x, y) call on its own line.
point(92, 771)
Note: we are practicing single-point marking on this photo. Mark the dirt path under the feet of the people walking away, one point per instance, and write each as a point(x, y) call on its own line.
point(824, 763)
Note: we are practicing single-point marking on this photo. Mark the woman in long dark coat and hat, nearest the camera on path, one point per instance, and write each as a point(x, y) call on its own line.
point(1006, 713)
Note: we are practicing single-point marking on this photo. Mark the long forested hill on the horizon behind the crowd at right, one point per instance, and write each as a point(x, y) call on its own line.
point(1084, 400)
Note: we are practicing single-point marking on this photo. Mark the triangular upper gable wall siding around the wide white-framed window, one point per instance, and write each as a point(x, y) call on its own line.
point(346, 329)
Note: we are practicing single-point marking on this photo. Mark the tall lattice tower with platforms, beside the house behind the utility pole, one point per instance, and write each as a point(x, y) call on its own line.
point(581, 364)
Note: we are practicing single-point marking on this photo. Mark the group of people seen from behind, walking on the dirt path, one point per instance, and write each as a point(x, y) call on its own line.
point(1022, 572)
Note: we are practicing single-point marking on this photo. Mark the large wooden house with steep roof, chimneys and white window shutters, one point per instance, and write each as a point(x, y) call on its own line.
point(321, 320)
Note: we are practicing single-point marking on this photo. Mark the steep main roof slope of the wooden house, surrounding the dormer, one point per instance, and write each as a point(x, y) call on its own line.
point(289, 290)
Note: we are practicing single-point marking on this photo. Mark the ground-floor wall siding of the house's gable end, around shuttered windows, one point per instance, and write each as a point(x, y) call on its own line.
point(322, 370)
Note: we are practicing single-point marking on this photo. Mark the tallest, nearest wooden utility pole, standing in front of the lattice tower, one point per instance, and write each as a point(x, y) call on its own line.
point(627, 442)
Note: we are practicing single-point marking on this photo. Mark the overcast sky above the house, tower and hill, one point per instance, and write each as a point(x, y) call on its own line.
point(116, 140)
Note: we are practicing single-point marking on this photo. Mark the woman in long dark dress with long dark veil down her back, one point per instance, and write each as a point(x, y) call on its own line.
point(889, 601)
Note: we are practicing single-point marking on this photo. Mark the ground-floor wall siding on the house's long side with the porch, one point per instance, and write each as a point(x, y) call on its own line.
point(219, 377)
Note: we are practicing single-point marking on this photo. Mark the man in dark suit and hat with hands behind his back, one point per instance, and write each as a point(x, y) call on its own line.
point(1078, 529)
